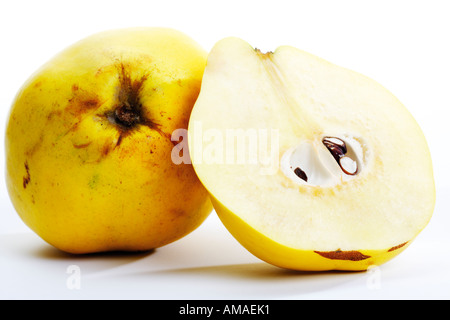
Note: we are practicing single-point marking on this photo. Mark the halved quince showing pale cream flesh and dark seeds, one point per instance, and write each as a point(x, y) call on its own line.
point(310, 166)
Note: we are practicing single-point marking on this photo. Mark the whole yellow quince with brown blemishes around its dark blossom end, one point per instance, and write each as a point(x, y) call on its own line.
point(89, 143)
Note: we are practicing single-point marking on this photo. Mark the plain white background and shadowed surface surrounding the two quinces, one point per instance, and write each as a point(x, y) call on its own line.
point(404, 45)
